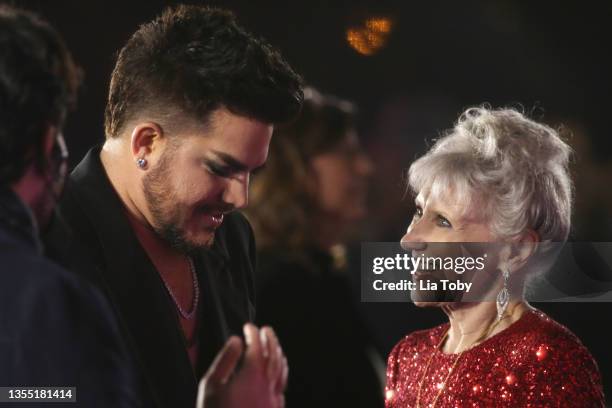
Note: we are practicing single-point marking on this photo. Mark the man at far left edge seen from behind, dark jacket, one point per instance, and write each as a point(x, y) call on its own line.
point(55, 330)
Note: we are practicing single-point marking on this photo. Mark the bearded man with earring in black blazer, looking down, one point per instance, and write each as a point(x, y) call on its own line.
point(192, 103)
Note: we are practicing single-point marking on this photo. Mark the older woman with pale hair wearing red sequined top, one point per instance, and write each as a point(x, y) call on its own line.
point(497, 177)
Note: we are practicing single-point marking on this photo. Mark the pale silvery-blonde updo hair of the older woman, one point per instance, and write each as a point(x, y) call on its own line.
point(504, 167)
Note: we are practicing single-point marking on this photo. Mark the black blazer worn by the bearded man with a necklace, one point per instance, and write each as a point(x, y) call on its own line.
point(92, 236)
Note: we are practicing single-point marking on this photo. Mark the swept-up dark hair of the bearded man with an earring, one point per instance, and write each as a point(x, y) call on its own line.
point(194, 60)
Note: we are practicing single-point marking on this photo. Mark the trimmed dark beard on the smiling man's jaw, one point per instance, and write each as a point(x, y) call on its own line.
point(168, 215)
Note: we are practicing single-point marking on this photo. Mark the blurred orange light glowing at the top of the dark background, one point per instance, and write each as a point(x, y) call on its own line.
point(371, 37)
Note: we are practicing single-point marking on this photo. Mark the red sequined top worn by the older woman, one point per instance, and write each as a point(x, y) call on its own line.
point(535, 362)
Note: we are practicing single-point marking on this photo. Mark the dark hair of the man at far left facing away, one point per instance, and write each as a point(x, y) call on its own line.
point(38, 85)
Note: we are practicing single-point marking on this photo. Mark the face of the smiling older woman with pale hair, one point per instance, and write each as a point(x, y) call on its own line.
point(439, 229)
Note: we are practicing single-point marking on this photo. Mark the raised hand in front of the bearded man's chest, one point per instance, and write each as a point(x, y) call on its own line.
point(259, 383)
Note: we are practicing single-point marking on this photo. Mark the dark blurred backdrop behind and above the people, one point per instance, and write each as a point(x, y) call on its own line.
point(551, 58)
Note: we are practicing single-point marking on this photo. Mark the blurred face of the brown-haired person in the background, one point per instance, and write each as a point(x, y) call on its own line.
point(341, 180)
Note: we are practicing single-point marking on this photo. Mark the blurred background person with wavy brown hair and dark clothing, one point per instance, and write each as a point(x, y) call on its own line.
point(311, 192)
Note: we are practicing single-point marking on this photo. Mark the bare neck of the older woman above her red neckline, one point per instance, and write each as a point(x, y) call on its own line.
point(470, 324)
